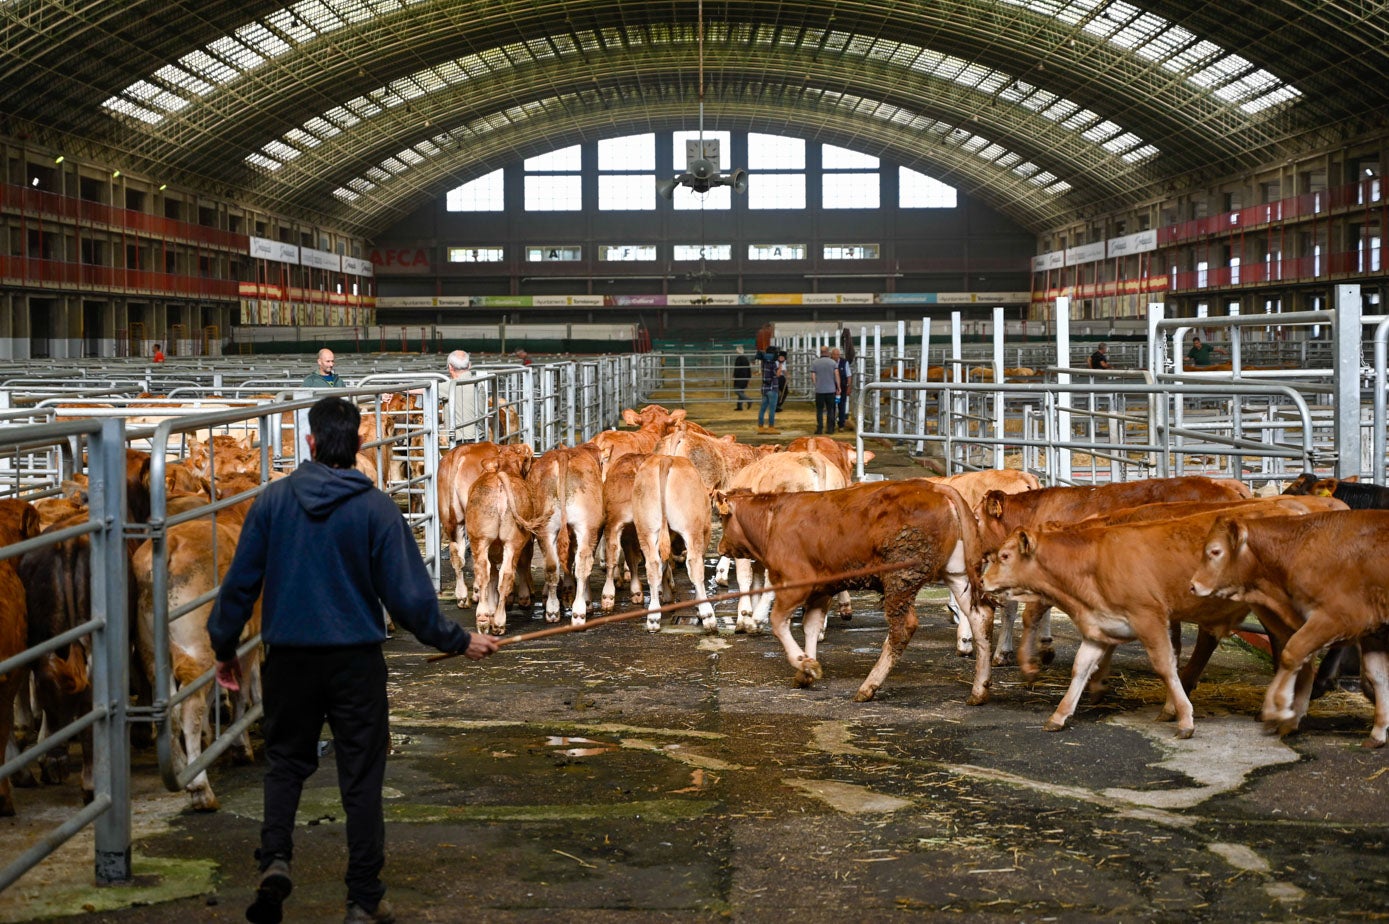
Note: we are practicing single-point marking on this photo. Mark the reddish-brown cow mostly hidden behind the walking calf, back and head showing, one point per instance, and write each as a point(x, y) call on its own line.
point(999, 515)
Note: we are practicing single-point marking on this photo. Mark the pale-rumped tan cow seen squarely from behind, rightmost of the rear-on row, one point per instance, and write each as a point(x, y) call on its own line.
point(669, 502)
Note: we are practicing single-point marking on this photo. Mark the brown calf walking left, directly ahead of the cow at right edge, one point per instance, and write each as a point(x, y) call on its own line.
point(1120, 583)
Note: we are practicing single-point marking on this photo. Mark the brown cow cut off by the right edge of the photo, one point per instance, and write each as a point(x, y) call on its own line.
point(1326, 577)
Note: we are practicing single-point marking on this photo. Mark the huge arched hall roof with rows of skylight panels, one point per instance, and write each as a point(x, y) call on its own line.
point(354, 113)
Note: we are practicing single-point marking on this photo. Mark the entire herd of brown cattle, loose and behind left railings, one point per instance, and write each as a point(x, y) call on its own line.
point(1126, 562)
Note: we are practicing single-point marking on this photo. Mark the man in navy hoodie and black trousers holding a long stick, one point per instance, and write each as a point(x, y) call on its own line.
point(330, 551)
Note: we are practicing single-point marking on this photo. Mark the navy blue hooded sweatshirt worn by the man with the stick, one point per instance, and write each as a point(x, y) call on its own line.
point(330, 551)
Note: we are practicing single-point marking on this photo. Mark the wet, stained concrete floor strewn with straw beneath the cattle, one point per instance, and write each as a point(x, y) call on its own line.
point(620, 776)
